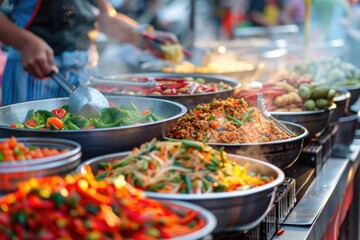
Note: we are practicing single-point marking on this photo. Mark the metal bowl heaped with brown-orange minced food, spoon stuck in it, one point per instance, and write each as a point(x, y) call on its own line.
point(240, 129)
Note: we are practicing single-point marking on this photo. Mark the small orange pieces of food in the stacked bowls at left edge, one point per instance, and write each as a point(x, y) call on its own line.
point(13, 150)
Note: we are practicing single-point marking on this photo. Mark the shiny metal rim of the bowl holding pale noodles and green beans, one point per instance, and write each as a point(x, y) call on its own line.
point(220, 195)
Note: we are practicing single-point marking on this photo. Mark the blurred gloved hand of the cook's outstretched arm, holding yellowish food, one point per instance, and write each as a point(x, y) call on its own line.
point(162, 45)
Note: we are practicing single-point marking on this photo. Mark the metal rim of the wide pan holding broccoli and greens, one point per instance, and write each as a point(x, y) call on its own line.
point(182, 112)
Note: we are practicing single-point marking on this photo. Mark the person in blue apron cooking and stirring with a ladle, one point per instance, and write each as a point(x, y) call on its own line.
point(55, 35)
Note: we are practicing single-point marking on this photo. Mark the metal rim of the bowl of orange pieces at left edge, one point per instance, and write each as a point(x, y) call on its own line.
point(76, 149)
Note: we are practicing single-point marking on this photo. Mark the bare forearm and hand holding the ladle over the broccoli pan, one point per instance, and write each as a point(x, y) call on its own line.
point(36, 55)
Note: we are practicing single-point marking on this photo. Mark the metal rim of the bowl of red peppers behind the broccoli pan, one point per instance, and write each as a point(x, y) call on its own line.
point(162, 74)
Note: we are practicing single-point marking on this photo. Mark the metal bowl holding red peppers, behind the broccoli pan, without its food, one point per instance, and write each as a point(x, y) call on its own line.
point(189, 100)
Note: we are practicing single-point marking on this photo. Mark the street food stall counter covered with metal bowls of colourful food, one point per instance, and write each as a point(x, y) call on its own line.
point(249, 138)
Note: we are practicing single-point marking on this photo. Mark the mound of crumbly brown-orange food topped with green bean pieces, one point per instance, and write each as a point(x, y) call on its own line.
point(226, 121)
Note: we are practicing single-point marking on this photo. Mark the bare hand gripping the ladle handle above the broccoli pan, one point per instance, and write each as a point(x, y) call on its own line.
point(37, 57)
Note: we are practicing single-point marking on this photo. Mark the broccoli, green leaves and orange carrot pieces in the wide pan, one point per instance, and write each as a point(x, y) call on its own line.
point(62, 119)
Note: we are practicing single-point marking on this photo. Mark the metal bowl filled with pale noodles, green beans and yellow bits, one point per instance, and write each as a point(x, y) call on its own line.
point(237, 190)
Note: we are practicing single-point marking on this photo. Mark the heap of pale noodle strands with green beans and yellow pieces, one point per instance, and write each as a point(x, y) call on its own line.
point(181, 167)
